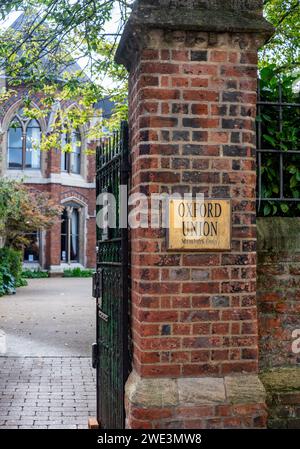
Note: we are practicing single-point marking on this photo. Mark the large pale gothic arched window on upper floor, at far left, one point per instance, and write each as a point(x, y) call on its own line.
point(24, 137)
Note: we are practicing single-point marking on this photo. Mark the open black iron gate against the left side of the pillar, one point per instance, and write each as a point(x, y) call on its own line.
point(111, 352)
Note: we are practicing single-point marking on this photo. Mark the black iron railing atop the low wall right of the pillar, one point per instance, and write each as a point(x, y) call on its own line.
point(278, 153)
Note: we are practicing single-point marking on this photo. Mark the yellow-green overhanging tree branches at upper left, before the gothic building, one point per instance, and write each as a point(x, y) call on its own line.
point(55, 34)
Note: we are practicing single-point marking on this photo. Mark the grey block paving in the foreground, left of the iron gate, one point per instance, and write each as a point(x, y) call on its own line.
point(46, 392)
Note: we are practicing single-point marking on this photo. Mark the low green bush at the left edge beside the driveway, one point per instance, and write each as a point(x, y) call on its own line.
point(10, 271)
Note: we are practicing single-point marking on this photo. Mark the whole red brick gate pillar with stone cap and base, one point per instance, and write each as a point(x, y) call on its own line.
point(193, 76)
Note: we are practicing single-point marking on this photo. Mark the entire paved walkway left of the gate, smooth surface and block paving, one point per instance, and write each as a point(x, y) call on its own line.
point(46, 378)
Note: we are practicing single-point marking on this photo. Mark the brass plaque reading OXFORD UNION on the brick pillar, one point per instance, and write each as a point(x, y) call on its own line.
point(199, 225)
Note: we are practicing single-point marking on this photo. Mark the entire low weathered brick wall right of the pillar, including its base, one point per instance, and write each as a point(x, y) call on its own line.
point(278, 301)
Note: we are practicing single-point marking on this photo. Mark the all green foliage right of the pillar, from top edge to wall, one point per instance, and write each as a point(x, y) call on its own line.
point(279, 64)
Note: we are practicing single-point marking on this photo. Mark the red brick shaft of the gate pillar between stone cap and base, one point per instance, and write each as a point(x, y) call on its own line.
point(193, 130)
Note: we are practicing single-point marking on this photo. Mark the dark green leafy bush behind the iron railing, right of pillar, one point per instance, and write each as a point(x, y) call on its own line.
point(279, 133)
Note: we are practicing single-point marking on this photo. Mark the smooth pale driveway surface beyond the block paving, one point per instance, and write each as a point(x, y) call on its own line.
point(50, 317)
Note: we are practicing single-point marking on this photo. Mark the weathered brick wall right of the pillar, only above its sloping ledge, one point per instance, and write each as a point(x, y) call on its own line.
point(278, 290)
